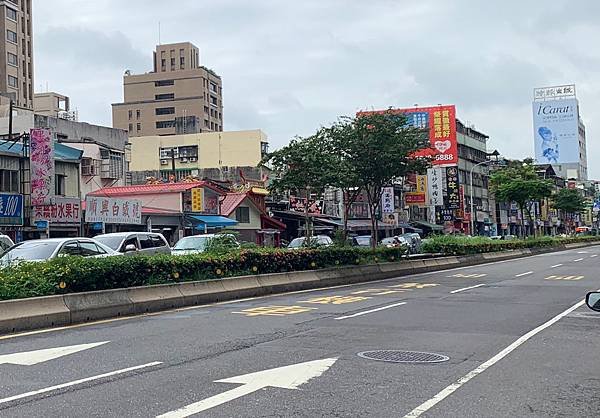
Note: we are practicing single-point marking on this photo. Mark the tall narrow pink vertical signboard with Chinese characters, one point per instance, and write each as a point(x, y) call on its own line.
point(42, 166)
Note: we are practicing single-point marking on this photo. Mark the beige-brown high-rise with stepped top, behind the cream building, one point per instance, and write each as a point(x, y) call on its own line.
point(178, 97)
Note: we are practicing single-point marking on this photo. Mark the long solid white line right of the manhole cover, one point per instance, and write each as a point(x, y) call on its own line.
point(427, 405)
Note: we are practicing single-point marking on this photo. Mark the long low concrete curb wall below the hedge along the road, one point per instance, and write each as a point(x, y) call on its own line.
point(52, 311)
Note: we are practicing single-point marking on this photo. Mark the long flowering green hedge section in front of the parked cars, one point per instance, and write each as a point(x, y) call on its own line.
point(75, 274)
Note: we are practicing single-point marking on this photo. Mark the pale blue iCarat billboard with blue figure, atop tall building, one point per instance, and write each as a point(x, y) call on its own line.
point(556, 131)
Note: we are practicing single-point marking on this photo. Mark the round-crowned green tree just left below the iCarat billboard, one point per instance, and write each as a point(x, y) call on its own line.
point(518, 182)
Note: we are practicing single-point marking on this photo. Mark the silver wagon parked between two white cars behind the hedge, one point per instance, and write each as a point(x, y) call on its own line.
point(131, 243)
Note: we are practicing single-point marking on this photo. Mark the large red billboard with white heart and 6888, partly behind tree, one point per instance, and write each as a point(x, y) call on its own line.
point(441, 123)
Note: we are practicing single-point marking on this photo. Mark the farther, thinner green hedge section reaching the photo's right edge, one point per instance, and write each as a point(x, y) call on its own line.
point(453, 245)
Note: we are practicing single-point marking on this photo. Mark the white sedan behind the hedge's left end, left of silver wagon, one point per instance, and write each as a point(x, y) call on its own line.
point(47, 249)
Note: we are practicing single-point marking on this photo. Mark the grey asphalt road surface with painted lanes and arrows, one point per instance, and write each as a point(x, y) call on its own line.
point(505, 358)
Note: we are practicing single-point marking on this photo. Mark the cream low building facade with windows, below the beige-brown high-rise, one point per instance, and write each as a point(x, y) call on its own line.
point(217, 153)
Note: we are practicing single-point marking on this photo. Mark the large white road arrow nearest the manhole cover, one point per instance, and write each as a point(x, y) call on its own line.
point(288, 377)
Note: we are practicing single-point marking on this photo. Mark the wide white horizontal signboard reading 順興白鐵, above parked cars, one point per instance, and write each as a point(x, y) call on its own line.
point(113, 211)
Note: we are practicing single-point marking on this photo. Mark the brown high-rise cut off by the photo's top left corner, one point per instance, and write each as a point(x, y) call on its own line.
point(16, 52)
